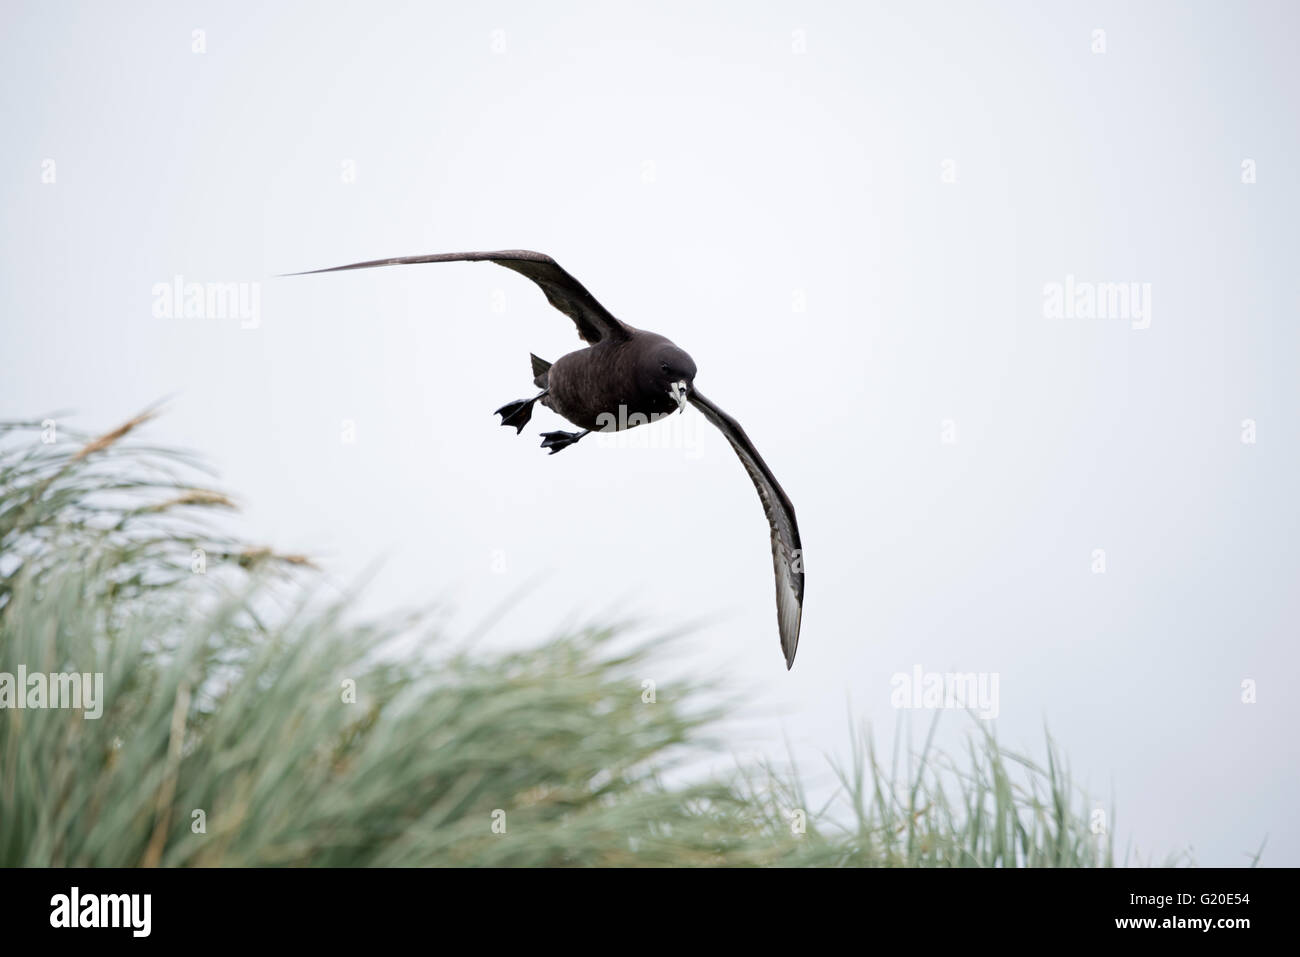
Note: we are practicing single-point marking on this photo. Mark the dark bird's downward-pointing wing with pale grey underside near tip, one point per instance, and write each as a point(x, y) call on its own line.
point(787, 552)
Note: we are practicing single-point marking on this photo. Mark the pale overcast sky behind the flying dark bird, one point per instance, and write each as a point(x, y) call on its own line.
point(878, 229)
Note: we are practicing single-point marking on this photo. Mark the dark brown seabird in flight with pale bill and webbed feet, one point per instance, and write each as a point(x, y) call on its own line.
point(623, 379)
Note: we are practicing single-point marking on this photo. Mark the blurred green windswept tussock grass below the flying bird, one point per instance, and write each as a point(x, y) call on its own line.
point(226, 695)
